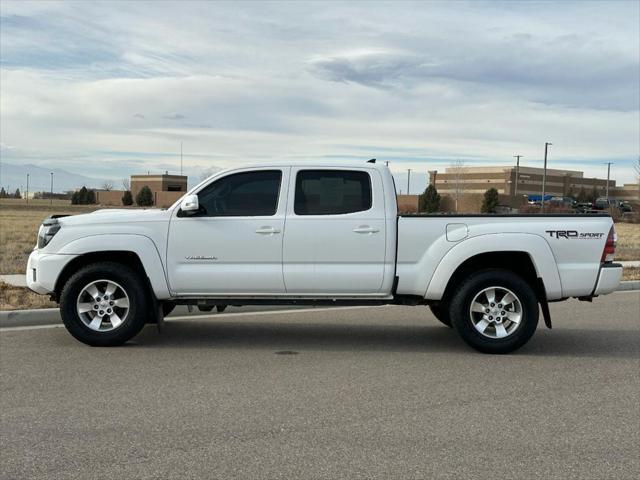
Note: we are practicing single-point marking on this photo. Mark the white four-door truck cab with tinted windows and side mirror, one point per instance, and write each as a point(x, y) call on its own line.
point(339, 238)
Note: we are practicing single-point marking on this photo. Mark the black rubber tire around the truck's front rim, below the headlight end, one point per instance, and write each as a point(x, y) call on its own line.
point(131, 282)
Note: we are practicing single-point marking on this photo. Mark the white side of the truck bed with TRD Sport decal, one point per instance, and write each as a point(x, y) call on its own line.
point(565, 249)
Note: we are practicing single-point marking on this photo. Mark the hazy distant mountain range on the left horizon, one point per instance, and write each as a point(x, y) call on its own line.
point(15, 176)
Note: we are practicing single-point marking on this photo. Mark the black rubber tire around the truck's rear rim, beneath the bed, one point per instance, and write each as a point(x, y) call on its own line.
point(461, 317)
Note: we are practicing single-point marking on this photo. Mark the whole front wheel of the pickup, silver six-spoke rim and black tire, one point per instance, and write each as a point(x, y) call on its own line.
point(104, 304)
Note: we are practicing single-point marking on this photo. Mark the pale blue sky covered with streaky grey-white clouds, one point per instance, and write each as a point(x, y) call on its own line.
point(112, 89)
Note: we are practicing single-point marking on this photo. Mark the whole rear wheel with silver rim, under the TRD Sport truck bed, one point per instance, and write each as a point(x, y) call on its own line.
point(495, 311)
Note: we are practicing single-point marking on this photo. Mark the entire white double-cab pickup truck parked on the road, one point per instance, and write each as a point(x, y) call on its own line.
point(322, 235)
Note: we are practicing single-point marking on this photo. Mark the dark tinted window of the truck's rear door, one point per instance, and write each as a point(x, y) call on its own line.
point(332, 192)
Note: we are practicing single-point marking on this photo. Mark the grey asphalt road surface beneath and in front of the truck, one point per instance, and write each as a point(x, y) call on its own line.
point(381, 392)
